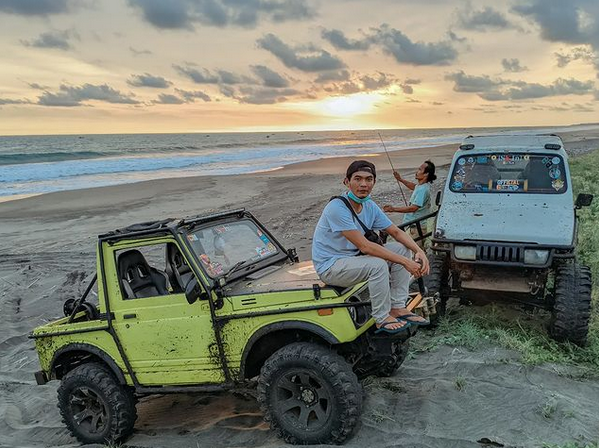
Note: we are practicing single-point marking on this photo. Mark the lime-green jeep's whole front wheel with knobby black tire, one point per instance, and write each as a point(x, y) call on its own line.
point(305, 381)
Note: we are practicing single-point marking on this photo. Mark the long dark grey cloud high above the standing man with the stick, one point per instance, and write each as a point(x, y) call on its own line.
point(397, 44)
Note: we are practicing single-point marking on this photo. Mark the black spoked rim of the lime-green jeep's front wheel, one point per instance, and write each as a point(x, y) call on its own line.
point(303, 400)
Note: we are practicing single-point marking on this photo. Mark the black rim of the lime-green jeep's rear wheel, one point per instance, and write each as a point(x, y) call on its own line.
point(89, 411)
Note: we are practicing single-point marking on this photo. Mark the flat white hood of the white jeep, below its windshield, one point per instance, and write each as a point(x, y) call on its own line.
point(540, 219)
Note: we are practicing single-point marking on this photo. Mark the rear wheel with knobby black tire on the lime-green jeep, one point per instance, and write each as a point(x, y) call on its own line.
point(94, 406)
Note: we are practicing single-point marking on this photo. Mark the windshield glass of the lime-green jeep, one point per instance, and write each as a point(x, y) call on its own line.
point(221, 246)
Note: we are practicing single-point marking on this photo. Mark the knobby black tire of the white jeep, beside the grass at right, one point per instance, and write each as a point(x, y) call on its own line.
point(572, 303)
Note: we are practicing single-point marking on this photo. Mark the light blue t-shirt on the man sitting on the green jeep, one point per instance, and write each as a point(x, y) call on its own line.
point(329, 245)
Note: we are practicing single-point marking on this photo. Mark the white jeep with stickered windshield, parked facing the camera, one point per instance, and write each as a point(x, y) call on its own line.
point(507, 226)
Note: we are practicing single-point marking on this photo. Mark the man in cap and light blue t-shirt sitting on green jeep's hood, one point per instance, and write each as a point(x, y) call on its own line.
point(339, 240)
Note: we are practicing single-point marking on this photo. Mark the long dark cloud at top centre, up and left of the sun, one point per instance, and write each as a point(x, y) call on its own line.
point(305, 59)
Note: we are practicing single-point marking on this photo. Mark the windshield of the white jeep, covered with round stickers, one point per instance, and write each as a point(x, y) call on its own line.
point(509, 173)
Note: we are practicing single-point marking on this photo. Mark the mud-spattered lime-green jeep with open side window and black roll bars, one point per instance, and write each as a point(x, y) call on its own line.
point(213, 303)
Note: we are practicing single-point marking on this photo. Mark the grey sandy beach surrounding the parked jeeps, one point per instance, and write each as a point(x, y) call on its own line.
point(47, 251)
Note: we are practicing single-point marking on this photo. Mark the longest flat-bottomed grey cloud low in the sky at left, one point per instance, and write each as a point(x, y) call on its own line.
point(71, 96)
